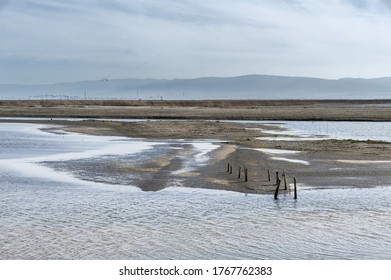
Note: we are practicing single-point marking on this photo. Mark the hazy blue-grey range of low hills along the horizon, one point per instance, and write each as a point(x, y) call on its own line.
point(242, 87)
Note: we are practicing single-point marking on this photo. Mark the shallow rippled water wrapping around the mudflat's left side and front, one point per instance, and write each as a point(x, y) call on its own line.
point(58, 215)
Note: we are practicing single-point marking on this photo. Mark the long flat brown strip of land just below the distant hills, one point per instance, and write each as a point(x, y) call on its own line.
point(331, 110)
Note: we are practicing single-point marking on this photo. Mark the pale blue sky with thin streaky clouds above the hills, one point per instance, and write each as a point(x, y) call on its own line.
point(47, 41)
